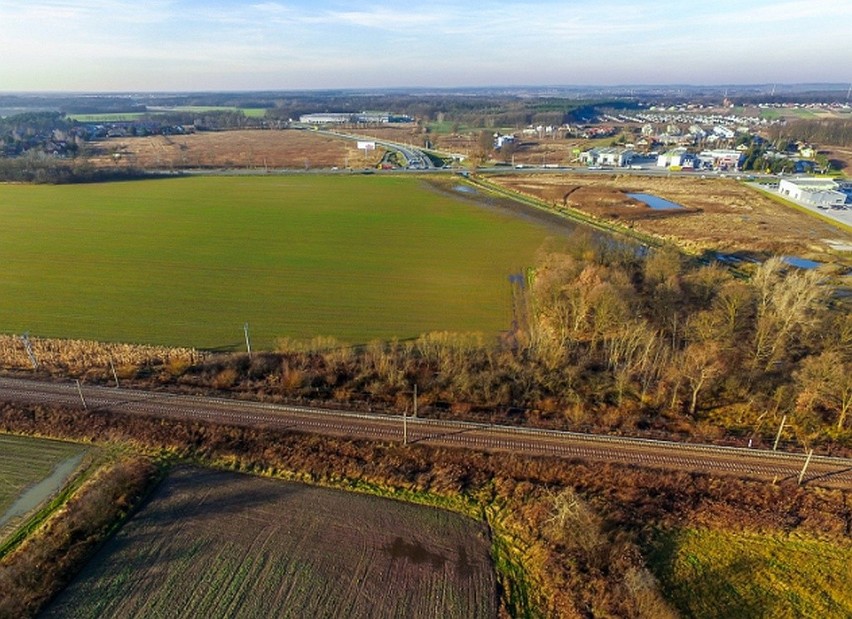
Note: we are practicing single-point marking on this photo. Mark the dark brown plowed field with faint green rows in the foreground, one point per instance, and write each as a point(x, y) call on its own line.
point(212, 544)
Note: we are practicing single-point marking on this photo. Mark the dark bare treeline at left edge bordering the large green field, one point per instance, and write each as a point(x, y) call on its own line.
point(44, 169)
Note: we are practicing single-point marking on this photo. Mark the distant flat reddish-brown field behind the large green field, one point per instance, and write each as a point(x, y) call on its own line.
point(233, 149)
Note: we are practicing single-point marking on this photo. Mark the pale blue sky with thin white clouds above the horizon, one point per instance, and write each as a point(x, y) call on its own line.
point(202, 45)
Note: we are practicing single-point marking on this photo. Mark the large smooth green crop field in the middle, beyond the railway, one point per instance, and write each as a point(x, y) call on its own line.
point(188, 261)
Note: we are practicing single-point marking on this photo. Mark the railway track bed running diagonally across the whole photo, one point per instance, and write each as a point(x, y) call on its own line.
point(752, 463)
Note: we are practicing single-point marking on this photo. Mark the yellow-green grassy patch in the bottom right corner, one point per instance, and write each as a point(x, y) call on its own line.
point(716, 574)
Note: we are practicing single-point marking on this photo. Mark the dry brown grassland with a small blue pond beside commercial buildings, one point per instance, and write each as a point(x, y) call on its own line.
point(720, 214)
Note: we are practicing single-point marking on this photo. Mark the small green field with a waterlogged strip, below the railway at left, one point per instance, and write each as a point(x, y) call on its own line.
point(23, 463)
